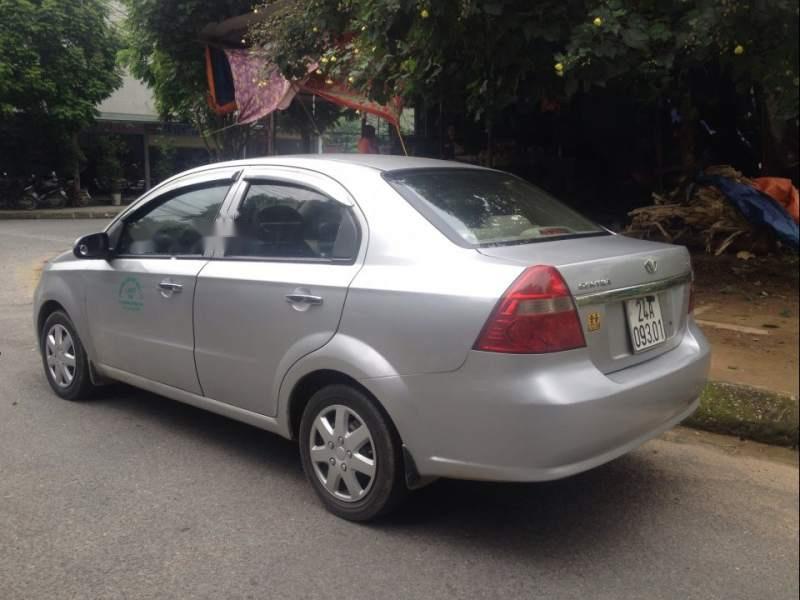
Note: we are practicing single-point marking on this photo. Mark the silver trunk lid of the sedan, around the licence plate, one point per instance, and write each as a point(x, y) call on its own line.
point(602, 273)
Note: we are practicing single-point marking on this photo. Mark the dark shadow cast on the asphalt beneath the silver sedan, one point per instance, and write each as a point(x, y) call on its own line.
point(598, 508)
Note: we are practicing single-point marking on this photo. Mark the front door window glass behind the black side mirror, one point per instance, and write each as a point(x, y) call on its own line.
point(176, 226)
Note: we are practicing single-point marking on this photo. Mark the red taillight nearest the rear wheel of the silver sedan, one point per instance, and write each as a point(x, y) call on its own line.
point(535, 315)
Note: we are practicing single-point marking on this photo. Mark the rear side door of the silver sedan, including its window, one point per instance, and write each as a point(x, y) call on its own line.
point(276, 291)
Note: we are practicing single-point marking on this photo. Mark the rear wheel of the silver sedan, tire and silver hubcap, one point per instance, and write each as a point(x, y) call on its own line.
point(351, 454)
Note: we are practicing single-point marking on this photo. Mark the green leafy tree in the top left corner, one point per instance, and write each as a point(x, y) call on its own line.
point(57, 62)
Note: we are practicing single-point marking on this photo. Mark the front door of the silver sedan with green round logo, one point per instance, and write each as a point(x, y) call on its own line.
point(140, 302)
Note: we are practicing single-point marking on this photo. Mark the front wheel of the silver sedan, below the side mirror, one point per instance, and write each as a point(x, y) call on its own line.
point(65, 362)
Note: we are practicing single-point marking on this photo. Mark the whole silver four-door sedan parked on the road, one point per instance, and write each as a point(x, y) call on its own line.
point(404, 319)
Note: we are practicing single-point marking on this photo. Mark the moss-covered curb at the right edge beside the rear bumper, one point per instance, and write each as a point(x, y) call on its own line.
point(747, 412)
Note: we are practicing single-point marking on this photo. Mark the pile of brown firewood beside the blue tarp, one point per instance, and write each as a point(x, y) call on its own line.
point(697, 216)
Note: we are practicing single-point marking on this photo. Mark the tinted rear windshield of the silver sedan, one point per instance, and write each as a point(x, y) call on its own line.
point(477, 208)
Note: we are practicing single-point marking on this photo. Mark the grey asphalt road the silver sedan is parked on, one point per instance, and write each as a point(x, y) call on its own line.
point(135, 496)
